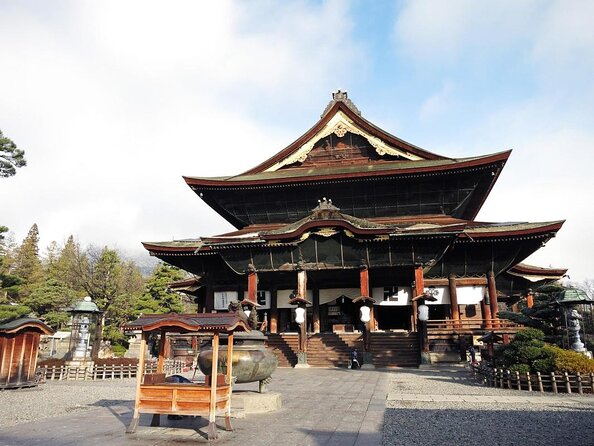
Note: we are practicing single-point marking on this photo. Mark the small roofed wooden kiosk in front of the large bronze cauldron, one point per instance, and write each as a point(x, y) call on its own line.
point(155, 395)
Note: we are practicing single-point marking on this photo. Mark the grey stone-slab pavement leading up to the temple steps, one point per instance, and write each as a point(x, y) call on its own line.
point(328, 407)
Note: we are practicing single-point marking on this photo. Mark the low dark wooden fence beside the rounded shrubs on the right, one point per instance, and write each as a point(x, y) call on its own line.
point(535, 382)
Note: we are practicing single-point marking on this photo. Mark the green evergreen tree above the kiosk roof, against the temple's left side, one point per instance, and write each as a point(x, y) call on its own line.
point(157, 297)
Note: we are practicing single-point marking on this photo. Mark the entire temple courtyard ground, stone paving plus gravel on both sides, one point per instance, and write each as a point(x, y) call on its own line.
point(437, 405)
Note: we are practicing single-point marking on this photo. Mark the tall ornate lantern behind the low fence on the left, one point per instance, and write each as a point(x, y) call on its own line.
point(84, 318)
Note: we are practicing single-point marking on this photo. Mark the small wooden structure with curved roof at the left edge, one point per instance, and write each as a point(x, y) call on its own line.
point(19, 345)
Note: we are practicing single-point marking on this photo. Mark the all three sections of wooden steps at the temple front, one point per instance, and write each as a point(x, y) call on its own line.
point(333, 349)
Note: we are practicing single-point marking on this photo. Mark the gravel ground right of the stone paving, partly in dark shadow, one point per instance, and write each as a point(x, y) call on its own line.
point(530, 419)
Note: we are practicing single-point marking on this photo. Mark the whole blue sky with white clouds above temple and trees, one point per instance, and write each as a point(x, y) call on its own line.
point(113, 101)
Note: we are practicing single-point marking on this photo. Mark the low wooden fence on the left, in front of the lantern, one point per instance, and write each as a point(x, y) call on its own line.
point(104, 371)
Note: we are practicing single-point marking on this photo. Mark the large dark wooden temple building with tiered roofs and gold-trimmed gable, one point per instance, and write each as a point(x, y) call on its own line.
point(349, 215)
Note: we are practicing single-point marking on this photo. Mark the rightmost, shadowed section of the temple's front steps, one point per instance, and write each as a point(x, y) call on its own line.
point(395, 349)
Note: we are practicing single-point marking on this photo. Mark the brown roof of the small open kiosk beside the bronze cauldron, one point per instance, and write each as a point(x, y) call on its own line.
point(183, 323)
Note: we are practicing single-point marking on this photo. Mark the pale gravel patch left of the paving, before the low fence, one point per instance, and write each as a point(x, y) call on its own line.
point(56, 398)
